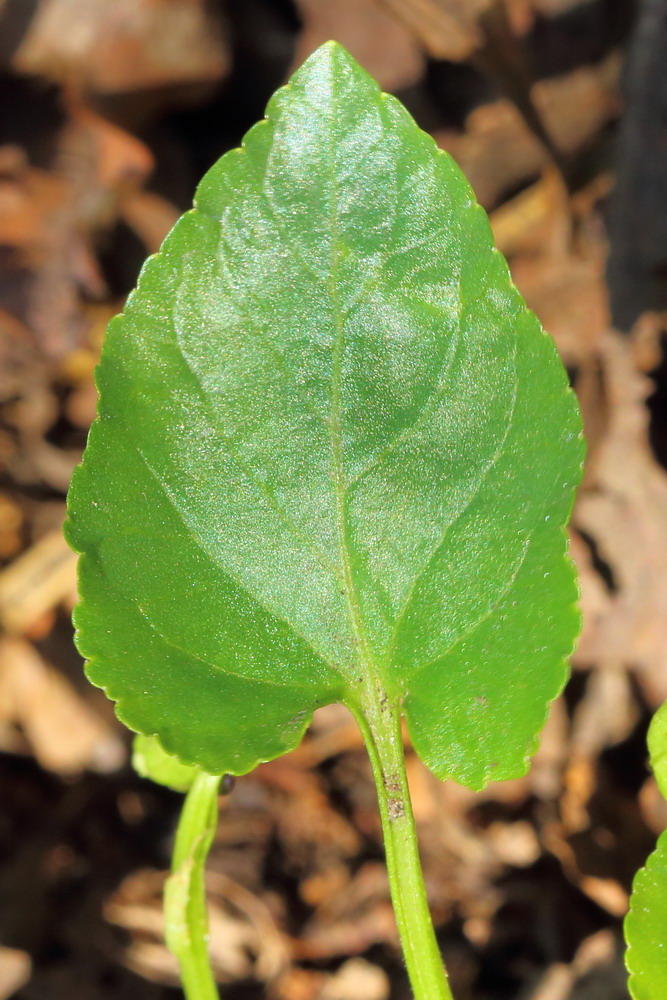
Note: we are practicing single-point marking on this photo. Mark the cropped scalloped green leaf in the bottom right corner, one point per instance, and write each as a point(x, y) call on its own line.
point(646, 928)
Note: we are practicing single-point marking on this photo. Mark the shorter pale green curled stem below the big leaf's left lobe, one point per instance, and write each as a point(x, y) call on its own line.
point(185, 911)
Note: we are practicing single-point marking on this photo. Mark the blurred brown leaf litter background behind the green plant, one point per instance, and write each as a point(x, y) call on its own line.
point(109, 114)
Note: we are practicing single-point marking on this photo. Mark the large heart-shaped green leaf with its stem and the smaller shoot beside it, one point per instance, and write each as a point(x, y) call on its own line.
point(334, 460)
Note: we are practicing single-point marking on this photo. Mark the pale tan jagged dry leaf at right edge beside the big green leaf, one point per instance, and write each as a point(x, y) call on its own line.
point(624, 511)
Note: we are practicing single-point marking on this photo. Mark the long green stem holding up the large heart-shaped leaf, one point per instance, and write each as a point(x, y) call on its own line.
point(380, 723)
